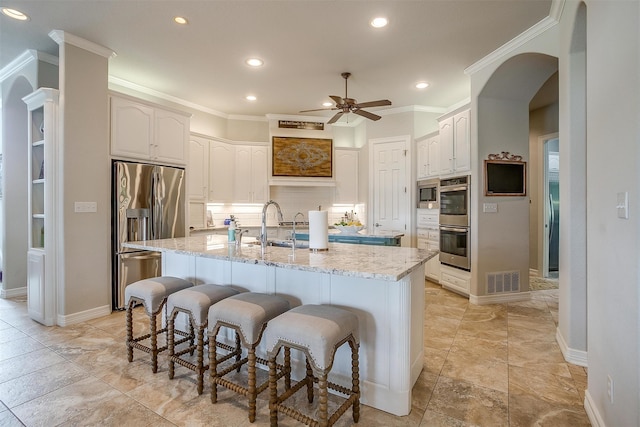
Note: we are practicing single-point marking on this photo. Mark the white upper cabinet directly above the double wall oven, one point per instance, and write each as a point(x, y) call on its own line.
point(454, 145)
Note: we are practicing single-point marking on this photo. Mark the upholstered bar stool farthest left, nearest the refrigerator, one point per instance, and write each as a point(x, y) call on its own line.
point(152, 293)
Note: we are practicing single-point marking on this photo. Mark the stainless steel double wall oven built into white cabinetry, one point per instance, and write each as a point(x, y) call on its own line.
point(455, 223)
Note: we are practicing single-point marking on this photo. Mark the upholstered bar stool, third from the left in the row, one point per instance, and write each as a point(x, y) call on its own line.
point(247, 314)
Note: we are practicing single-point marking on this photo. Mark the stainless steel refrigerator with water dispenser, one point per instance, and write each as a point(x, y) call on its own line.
point(148, 202)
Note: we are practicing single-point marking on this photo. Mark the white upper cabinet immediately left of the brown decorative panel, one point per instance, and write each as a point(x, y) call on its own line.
point(251, 181)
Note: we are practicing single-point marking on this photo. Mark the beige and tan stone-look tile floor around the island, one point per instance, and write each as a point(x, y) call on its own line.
point(496, 365)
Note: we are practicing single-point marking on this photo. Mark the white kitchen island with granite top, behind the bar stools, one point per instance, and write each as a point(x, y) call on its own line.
point(383, 286)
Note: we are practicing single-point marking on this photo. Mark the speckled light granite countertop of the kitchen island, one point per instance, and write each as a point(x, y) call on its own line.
point(364, 261)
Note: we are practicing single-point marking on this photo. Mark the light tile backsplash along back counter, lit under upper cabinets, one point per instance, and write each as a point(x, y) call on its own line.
point(291, 200)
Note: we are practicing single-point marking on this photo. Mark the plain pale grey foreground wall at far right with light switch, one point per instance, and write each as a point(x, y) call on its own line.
point(613, 154)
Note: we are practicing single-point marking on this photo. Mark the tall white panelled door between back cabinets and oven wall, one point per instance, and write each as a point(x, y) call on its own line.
point(390, 196)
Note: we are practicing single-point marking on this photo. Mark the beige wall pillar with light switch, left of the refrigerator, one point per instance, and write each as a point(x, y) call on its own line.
point(86, 247)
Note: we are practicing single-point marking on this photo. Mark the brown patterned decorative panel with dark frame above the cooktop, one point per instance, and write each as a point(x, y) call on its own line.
point(302, 157)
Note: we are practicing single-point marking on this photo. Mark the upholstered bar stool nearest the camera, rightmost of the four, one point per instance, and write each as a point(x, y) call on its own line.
point(318, 331)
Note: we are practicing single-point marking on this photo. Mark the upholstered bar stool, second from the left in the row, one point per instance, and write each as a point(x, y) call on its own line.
point(195, 303)
